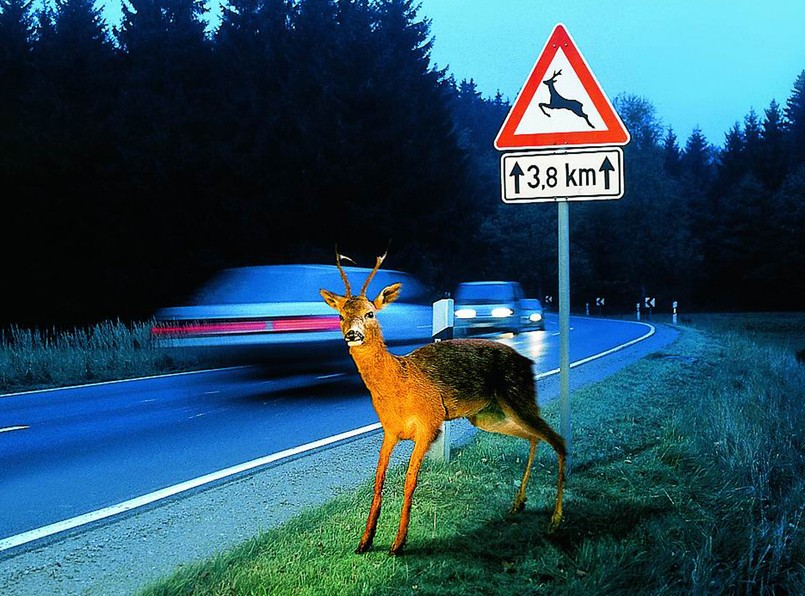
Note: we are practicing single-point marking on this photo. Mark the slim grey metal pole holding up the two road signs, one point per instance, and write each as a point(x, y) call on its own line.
point(564, 327)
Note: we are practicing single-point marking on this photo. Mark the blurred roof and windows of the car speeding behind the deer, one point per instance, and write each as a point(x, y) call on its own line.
point(297, 284)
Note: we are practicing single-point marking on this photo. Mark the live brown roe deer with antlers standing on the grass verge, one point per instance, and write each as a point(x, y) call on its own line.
point(484, 381)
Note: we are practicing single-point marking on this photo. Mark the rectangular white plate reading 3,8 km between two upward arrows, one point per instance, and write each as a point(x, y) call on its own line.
point(572, 174)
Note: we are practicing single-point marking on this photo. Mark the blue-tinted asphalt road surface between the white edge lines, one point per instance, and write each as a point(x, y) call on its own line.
point(68, 452)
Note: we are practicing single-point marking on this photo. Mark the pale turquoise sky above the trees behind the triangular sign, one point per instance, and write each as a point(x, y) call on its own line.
point(701, 63)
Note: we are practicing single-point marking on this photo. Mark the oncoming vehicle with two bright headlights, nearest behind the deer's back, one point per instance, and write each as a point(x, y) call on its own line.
point(487, 307)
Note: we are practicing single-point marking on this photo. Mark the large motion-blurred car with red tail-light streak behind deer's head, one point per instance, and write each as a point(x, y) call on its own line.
point(275, 315)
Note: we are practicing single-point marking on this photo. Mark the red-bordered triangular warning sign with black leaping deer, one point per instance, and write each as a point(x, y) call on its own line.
point(561, 103)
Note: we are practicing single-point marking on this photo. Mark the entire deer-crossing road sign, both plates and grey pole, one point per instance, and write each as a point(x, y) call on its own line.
point(573, 133)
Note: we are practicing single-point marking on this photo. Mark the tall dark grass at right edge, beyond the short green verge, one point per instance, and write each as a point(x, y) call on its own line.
point(749, 425)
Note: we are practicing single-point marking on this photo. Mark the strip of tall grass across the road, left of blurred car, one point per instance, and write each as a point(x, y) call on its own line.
point(39, 358)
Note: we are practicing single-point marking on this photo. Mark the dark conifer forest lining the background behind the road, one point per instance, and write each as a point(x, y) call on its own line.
point(138, 159)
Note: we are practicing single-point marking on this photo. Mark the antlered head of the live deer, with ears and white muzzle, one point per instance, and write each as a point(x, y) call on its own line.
point(357, 313)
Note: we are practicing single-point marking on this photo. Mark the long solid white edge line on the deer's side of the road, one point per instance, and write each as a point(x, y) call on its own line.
point(93, 516)
